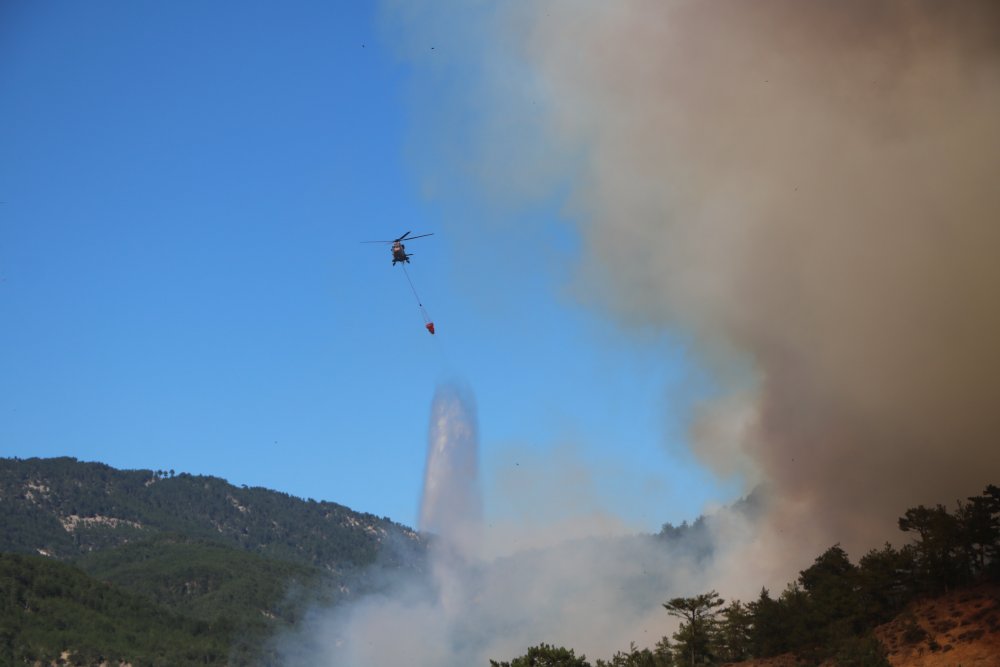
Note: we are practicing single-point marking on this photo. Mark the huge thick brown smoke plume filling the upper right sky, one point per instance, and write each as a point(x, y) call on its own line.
point(807, 189)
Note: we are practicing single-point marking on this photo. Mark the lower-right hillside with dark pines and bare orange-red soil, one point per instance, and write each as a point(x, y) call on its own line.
point(841, 613)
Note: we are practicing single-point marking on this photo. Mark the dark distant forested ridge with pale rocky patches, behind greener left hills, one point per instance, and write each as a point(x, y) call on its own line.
point(65, 508)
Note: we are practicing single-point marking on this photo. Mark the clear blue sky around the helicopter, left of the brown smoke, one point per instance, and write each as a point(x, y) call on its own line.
point(184, 188)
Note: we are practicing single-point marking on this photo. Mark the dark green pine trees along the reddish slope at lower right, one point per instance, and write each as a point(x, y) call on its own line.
point(831, 609)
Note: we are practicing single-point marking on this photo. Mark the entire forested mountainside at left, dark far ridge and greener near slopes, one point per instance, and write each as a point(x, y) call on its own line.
point(153, 567)
